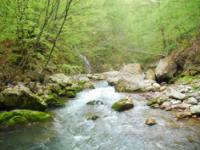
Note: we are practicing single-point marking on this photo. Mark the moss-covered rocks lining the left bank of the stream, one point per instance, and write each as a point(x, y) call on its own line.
point(27, 98)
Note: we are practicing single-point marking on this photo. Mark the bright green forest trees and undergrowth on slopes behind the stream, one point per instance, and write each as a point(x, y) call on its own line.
point(50, 35)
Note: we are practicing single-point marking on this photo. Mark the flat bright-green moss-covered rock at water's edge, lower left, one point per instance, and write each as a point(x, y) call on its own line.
point(18, 117)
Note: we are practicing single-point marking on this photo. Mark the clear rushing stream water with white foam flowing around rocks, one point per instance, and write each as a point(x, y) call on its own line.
point(113, 131)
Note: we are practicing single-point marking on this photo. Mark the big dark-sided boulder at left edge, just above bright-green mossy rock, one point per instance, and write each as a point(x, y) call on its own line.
point(20, 97)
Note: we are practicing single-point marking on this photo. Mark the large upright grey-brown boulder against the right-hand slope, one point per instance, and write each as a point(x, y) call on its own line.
point(165, 69)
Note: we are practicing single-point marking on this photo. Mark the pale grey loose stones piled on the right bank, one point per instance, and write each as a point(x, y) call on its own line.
point(177, 97)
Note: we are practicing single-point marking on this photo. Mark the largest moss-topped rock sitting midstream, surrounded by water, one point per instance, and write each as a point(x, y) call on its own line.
point(123, 104)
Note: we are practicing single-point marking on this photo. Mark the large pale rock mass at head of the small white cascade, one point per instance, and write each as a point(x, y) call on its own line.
point(131, 79)
